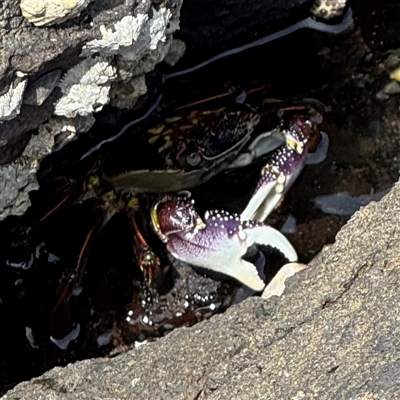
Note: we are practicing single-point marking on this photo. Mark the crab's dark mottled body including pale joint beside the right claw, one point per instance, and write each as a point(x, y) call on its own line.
point(191, 148)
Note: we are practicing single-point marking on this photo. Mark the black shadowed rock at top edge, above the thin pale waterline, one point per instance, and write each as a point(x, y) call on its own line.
point(208, 27)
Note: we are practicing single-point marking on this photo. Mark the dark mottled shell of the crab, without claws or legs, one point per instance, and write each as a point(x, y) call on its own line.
point(192, 147)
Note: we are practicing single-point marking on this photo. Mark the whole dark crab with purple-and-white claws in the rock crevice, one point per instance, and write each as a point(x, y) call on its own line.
point(188, 149)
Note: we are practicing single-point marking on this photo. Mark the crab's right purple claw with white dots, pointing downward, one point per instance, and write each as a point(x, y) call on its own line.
point(284, 164)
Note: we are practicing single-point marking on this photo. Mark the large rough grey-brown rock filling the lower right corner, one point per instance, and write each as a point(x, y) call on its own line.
point(333, 335)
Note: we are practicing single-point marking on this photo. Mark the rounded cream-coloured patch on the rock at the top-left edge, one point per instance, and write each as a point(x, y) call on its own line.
point(50, 12)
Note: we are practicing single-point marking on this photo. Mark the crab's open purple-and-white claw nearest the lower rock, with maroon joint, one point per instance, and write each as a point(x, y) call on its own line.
point(216, 243)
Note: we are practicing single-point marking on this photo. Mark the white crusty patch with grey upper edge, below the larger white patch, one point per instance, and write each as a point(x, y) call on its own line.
point(85, 87)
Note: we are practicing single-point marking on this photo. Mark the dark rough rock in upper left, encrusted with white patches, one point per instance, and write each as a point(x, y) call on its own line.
point(91, 52)
